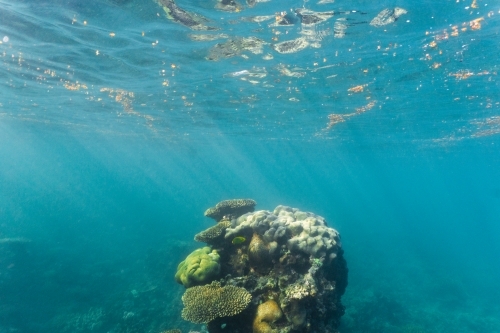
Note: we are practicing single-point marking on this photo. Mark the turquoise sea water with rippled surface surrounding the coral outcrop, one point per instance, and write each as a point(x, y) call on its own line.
point(119, 127)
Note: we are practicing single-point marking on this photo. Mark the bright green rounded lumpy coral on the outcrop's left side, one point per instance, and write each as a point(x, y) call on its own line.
point(199, 267)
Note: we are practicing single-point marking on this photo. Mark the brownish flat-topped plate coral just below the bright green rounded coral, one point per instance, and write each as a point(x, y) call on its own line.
point(202, 304)
